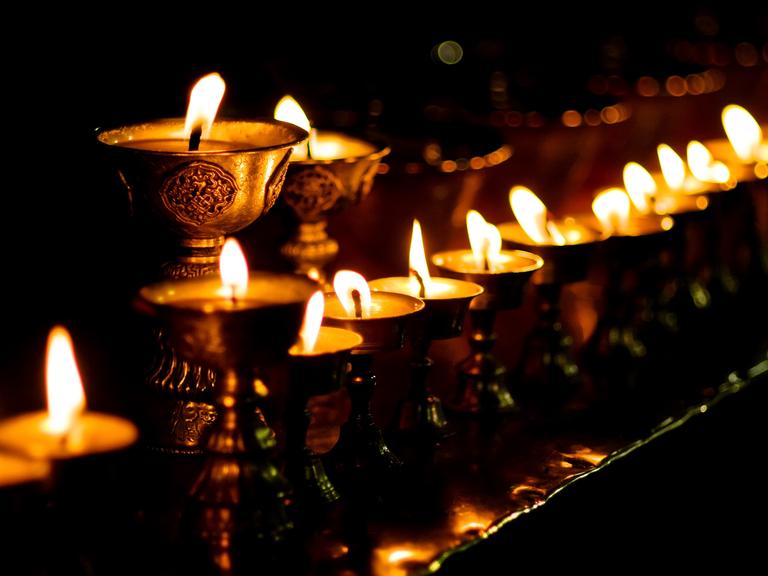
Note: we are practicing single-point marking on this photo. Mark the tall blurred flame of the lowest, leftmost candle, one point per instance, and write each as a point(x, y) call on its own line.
point(64, 388)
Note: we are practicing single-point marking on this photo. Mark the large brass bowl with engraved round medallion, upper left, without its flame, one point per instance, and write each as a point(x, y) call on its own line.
point(205, 194)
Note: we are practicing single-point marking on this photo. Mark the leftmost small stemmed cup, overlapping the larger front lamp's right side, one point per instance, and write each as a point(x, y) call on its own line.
point(314, 373)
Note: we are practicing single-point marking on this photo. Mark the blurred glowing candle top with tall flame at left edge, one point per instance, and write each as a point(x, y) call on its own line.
point(66, 430)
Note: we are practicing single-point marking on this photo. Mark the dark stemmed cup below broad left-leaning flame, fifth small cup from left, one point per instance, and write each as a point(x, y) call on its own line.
point(548, 375)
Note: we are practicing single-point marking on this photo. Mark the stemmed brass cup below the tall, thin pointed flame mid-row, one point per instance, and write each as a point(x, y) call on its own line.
point(421, 413)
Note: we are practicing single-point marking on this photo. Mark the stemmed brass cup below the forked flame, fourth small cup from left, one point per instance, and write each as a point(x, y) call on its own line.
point(482, 386)
